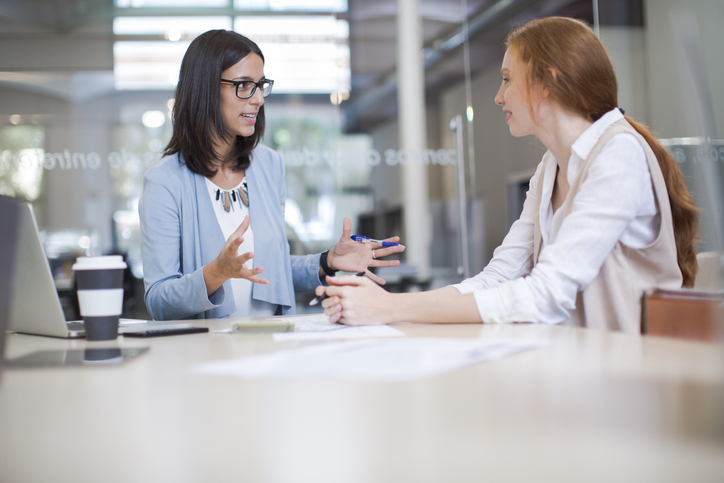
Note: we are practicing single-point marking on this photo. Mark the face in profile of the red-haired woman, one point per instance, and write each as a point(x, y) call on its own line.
point(513, 97)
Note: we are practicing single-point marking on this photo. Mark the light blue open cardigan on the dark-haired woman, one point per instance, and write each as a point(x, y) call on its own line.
point(180, 234)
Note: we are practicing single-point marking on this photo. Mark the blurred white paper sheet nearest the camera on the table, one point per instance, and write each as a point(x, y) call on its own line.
point(388, 360)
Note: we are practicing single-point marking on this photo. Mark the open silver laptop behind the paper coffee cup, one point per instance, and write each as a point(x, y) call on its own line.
point(34, 304)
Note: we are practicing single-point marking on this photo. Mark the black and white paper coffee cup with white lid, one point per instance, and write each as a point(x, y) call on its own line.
point(99, 283)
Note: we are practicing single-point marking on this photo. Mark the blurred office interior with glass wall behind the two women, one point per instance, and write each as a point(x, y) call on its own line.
point(383, 112)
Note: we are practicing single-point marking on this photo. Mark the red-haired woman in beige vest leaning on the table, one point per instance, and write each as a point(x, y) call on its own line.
point(606, 217)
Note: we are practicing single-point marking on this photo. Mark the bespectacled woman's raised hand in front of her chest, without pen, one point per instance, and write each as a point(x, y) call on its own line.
point(229, 264)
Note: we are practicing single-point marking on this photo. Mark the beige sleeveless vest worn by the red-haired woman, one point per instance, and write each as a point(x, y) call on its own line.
point(612, 301)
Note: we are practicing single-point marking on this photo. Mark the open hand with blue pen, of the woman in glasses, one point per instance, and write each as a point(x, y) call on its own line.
point(351, 256)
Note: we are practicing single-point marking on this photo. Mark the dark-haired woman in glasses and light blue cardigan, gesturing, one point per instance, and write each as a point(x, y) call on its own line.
point(212, 211)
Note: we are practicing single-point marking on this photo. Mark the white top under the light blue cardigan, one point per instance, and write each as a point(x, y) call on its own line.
point(229, 222)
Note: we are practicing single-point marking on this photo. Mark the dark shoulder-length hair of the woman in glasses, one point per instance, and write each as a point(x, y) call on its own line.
point(196, 116)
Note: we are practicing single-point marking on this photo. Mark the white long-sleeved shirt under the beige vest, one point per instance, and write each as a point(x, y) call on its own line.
point(615, 202)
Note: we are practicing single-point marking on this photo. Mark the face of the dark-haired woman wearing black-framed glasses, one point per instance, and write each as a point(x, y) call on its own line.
point(239, 115)
